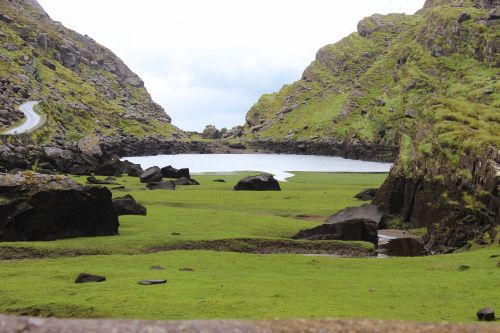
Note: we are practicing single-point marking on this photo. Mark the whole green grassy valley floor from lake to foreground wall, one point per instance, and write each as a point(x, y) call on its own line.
point(243, 285)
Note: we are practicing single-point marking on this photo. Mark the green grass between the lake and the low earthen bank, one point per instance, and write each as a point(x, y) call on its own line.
point(213, 211)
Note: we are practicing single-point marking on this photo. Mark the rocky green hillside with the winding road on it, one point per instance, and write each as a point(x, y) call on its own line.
point(85, 89)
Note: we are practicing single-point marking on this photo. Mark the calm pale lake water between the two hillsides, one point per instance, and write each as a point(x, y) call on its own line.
point(279, 165)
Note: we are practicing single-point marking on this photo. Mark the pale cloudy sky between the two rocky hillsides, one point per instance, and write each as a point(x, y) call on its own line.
point(208, 62)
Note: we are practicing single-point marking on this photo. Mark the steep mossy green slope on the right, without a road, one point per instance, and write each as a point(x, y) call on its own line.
point(427, 83)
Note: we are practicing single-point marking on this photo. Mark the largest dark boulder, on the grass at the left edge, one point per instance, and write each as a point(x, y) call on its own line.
point(37, 207)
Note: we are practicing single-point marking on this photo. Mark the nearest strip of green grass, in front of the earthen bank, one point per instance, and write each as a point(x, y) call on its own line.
point(231, 285)
